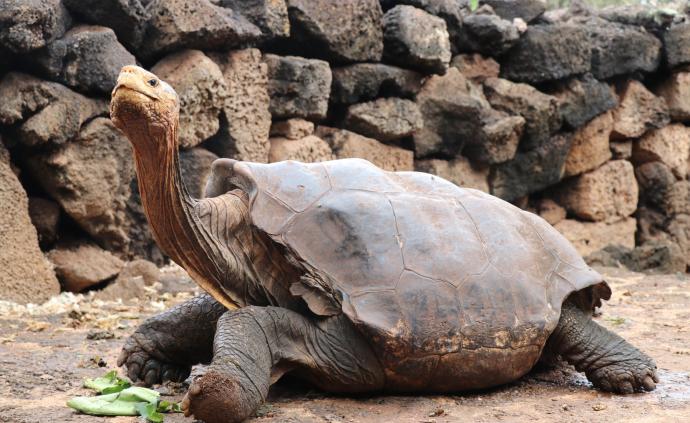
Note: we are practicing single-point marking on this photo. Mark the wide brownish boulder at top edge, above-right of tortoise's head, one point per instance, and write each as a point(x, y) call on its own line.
point(194, 24)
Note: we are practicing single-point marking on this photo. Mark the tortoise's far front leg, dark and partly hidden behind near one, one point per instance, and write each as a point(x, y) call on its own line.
point(166, 346)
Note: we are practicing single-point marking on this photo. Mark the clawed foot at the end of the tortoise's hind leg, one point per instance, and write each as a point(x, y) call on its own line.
point(626, 377)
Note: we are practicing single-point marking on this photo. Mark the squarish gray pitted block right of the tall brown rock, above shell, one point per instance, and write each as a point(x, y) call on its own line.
point(298, 87)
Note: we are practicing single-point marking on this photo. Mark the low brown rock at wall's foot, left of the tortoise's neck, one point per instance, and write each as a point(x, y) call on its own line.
point(84, 265)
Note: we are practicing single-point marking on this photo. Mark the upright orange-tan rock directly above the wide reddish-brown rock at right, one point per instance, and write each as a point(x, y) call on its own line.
point(590, 147)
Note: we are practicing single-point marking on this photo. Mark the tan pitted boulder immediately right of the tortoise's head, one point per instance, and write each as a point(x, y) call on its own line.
point(201, 87)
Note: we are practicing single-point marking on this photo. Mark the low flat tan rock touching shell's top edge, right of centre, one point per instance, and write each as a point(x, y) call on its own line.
point(458, 171)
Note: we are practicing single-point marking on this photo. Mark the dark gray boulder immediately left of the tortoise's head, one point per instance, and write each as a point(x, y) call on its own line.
point(87, 58)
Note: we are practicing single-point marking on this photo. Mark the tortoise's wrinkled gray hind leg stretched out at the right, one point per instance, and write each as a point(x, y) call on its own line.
point(609, 361)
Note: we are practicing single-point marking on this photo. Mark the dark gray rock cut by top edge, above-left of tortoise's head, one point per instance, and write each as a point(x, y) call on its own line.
point(127, 18)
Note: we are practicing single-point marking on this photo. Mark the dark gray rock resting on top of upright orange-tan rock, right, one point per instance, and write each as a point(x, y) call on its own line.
point(581, 99)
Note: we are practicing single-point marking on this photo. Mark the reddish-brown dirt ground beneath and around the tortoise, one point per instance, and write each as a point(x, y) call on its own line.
point(46, 351)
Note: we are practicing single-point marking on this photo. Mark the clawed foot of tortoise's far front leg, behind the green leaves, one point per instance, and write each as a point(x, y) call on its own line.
point(145, 367)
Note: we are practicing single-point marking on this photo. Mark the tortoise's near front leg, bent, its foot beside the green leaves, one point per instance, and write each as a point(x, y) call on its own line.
point(254, 346)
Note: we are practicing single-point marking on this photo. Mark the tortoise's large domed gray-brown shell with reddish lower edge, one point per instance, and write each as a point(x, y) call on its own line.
point(449, 284)
